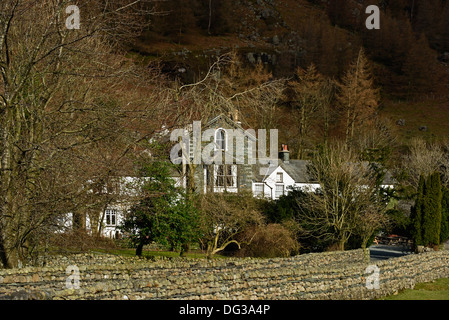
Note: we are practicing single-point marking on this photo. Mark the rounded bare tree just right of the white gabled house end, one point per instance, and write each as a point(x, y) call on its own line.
point(347, 192)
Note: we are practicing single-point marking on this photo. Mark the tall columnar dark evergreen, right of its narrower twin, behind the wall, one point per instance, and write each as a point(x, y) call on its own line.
point(431, 218)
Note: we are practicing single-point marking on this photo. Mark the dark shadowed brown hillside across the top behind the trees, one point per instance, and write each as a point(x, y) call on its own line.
point(409, 52)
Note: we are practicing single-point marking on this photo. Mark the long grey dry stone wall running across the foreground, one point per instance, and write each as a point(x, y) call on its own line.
point(329, 275)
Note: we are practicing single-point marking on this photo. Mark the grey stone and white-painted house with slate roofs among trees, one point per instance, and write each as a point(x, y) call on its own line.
point(265, 181)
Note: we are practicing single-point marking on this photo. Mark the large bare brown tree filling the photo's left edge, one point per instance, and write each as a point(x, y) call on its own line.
point(61, 92)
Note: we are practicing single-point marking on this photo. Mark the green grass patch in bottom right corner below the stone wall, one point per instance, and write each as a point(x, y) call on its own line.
point(435, 290)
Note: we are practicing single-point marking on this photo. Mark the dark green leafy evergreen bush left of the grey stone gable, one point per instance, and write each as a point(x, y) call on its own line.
point(165, 214)
